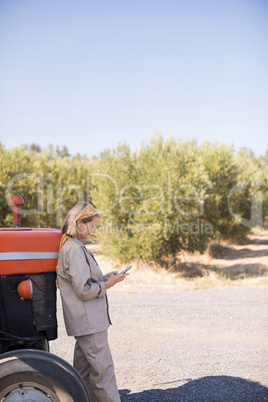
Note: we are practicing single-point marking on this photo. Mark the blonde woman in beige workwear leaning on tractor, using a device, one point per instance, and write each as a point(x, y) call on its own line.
point(85, 304)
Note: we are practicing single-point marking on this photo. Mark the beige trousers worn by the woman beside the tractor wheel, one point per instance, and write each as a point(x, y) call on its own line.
point(93, 361)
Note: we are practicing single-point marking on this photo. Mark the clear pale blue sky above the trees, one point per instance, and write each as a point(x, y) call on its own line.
point(90, 74)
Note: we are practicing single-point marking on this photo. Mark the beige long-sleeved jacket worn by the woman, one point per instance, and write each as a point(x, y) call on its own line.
point(82, 289)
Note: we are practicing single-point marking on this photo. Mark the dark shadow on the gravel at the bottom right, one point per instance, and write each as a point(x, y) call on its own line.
point(212, 389)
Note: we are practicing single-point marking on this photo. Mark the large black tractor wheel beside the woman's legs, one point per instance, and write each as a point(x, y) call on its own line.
point(35, 375)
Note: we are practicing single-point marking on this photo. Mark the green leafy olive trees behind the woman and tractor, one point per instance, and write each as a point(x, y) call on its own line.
point(168, 196)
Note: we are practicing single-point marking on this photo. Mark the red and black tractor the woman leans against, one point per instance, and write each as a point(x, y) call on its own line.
point(28, 372)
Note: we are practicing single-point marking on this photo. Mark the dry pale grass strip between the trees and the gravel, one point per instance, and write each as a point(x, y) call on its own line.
point(235, 265)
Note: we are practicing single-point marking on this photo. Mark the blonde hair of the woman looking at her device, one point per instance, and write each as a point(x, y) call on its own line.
point(69, 225)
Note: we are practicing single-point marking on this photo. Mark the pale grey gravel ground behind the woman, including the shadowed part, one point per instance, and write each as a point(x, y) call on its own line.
point(172, 344)
